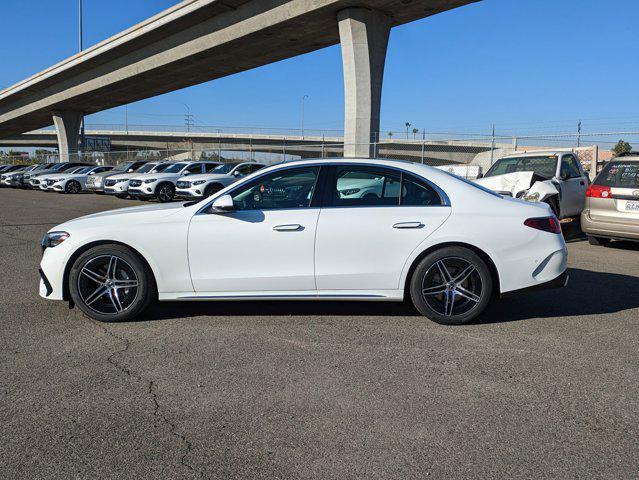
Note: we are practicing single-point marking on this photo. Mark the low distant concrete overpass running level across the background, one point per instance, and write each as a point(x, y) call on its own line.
point(429, 151)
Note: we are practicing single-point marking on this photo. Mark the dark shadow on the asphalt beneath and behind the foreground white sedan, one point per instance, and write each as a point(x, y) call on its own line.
point(613, 293)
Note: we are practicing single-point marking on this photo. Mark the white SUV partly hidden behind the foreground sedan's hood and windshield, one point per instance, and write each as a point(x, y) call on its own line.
point(205, 185)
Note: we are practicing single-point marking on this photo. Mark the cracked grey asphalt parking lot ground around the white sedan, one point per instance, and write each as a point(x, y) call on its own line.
point(544, 385)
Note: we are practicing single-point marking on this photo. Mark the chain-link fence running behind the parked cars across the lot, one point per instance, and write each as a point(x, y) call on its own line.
point(436, 149)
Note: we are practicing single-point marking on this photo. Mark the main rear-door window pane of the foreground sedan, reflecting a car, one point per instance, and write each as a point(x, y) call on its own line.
point(365, 186)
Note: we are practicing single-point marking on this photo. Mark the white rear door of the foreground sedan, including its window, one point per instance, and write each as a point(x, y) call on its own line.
point(371, 221)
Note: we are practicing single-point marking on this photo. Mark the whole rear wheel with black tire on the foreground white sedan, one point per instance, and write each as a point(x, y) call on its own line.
point(471, 289)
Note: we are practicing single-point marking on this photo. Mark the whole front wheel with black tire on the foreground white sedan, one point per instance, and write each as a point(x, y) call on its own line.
point(120, 301)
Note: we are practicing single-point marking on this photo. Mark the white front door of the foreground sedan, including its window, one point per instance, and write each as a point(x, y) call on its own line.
point(266, 245)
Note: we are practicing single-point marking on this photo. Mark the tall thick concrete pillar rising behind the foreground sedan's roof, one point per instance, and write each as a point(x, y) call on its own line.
point(364, 37)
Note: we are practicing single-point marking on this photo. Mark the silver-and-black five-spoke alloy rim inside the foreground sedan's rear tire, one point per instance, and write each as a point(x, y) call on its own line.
point(452, 286)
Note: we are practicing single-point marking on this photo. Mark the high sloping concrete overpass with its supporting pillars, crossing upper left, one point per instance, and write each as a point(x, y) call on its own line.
point(201, 40)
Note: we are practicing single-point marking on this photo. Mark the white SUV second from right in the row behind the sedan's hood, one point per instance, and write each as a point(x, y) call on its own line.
point(162, 184)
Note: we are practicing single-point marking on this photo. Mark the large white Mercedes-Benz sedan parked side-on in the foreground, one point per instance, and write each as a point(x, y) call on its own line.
point(346, 229)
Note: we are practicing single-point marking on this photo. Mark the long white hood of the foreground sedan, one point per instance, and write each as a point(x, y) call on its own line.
point(122, 217)
